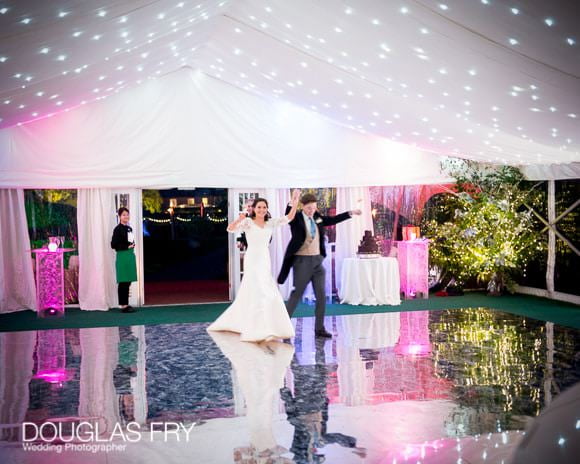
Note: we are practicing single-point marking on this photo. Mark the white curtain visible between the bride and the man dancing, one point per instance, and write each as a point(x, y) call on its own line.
point(277, 200)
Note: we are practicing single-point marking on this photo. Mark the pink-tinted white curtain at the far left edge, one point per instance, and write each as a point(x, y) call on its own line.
point(17, 287)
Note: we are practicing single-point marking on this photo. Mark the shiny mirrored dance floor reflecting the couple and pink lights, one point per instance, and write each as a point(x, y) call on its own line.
point(387, 388)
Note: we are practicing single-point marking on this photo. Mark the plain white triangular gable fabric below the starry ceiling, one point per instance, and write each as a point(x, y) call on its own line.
point(188, 129)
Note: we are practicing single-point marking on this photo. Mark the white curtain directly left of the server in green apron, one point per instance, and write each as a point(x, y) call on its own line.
point(96, 220)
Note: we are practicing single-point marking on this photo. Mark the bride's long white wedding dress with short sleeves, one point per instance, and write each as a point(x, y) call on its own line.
point(258, 313)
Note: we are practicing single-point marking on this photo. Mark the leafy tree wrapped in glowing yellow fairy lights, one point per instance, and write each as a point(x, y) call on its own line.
point(487, 232)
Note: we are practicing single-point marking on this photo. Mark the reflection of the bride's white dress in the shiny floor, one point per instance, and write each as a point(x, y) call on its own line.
point(260, 370)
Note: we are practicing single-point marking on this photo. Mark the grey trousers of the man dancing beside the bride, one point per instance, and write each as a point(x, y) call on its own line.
point(309, 269)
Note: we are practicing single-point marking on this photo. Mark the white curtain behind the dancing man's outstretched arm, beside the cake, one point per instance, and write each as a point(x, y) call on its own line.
point(350, 233)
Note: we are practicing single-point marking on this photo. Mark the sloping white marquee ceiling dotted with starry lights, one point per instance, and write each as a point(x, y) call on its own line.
point(483, 79)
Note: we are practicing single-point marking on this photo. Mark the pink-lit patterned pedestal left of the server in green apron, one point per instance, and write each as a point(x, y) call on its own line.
point(50, 281)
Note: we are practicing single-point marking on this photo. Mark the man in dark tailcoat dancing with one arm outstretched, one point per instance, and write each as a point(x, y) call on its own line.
point(305, 254)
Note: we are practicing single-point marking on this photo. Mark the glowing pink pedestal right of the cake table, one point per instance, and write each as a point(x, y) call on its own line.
point(414, 267)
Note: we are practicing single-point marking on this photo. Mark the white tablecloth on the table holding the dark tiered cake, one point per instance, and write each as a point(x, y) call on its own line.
point(371, 281)
